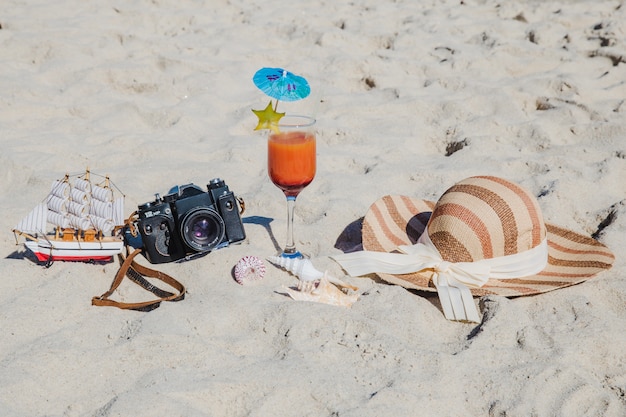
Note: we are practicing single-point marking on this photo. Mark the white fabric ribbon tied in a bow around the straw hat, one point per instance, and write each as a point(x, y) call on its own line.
point(452, 280)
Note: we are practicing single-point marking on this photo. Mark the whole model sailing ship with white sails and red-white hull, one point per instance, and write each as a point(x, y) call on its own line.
point(83, 215)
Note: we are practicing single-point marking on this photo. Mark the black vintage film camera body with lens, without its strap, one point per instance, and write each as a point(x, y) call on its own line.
point(189, 221)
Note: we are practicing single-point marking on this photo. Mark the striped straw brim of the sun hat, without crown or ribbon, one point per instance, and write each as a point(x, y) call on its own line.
point(400, 220)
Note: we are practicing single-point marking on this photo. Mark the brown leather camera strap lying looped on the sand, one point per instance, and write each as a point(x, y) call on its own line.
point(136, 273)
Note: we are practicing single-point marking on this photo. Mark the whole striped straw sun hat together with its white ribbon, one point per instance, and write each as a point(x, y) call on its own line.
point(480, 220)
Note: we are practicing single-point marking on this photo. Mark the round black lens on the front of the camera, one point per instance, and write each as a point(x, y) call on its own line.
point(202, 229)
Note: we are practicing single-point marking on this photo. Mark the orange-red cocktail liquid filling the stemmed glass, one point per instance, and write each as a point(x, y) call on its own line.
point(291, 160)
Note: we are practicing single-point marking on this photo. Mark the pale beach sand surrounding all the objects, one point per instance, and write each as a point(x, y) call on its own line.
point(158, 93)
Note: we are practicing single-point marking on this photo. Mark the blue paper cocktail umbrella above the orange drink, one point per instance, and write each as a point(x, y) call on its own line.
point(281, 84)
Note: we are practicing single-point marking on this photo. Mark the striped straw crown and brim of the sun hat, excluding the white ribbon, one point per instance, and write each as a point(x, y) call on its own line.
point(482, 218)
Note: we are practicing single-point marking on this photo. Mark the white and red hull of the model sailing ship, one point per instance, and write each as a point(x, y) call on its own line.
point(57, 250)
